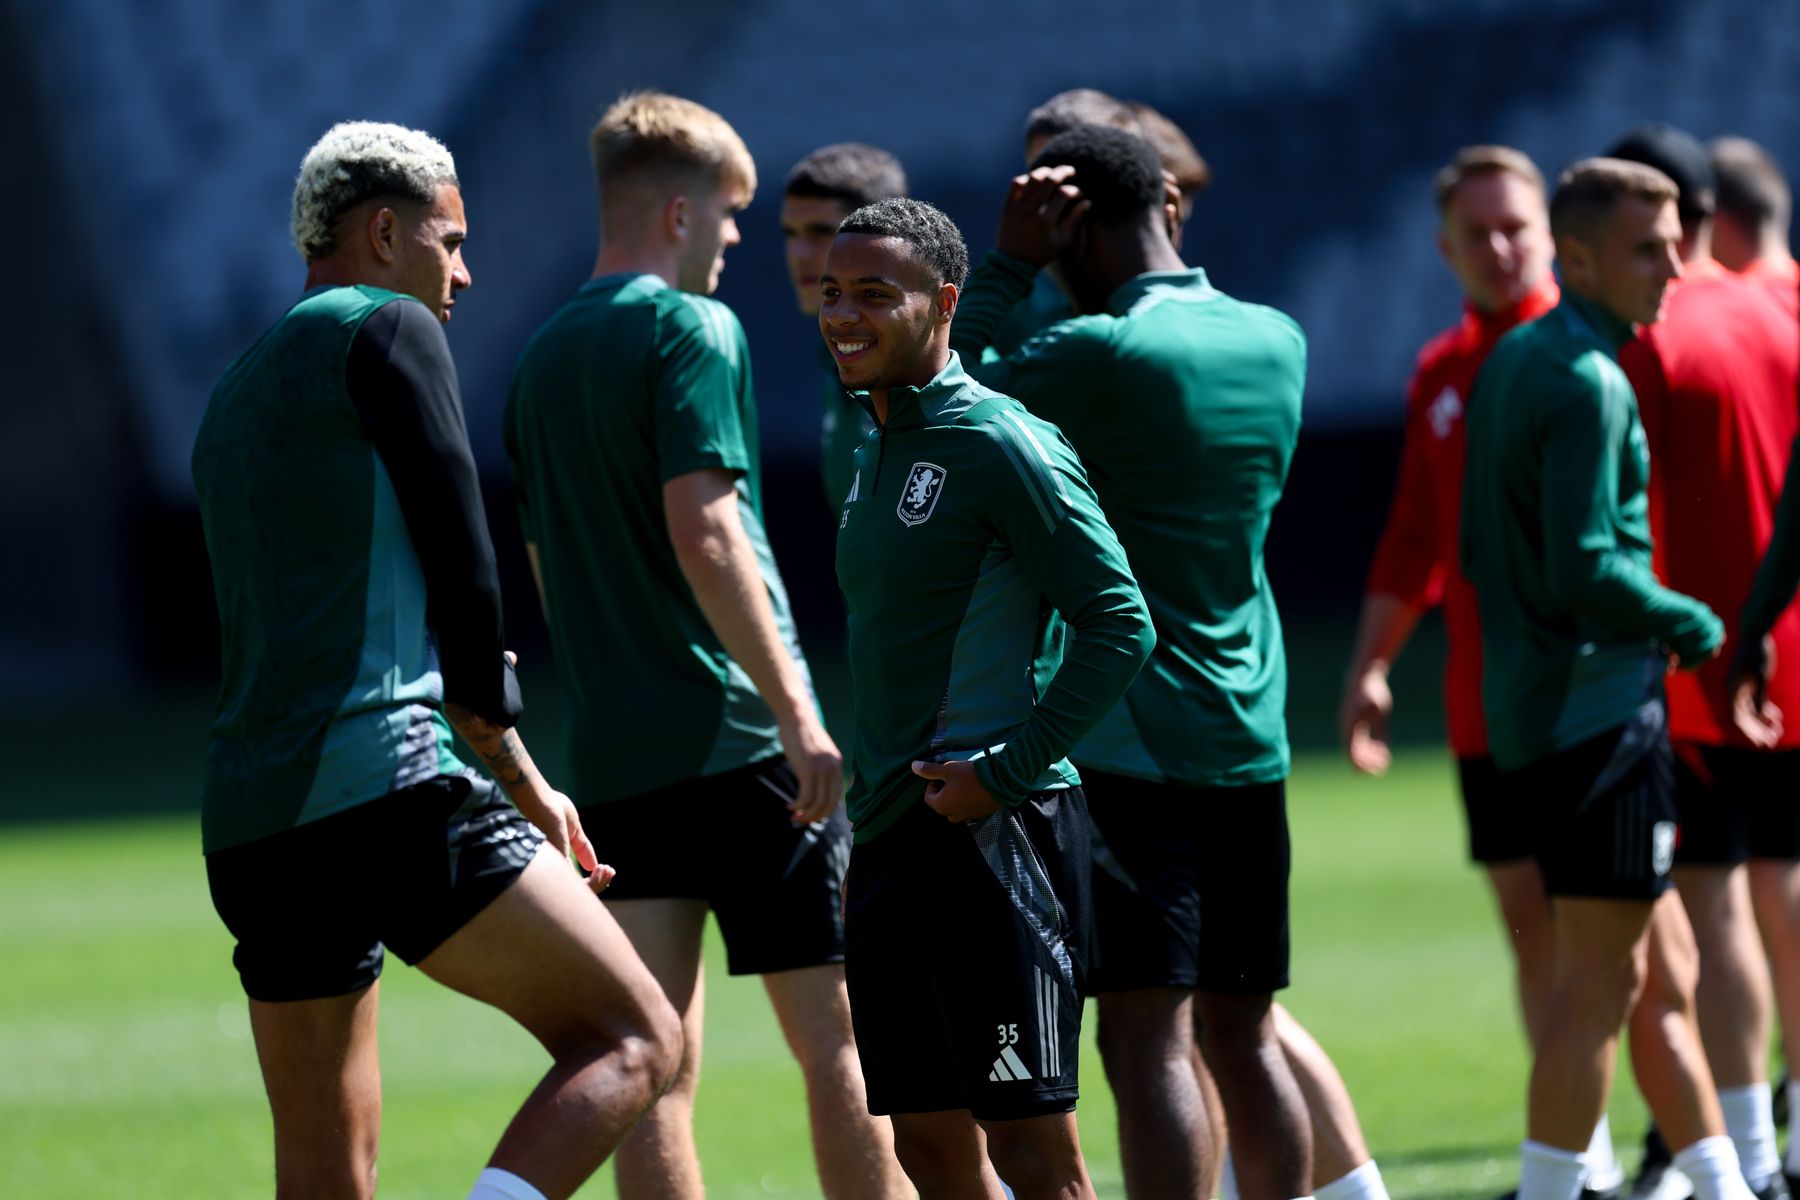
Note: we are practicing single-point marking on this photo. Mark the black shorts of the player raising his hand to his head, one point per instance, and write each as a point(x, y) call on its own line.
point(1191, 886)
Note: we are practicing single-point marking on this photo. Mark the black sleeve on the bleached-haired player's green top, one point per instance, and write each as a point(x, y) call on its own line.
point(404, 388)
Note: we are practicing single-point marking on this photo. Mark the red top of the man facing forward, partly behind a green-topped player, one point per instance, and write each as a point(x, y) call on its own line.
point(1417, 557)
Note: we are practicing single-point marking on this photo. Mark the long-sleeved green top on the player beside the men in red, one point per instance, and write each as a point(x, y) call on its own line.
point(1556, 539)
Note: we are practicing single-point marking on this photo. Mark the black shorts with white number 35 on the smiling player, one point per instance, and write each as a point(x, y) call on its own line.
point(969, 958)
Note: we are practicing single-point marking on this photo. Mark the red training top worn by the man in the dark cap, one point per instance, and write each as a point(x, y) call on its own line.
point(1716, 390)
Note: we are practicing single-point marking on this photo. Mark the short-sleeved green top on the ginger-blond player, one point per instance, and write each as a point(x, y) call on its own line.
point(631, 386)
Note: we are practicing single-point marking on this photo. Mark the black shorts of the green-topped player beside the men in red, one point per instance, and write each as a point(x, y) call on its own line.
point(1605, 812)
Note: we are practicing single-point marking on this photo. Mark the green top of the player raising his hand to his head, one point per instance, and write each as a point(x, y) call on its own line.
point(1185, 409)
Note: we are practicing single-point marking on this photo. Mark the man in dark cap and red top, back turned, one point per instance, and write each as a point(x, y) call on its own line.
point(1716, 382)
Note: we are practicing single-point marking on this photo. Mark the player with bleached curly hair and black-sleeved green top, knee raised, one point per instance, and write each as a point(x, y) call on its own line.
point(361, 622)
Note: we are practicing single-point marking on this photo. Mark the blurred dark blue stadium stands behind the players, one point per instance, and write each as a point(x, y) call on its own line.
point(156, 141)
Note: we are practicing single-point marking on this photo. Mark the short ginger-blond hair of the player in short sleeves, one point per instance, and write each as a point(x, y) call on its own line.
point(674, 141)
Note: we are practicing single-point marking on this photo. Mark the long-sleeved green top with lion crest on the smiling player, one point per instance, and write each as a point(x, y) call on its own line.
point(967, 532)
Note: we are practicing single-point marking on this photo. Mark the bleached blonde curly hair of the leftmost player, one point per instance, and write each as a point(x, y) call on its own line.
point(359, 161)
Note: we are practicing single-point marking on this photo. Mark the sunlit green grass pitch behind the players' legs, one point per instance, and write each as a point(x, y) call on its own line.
point(127, 1066)
